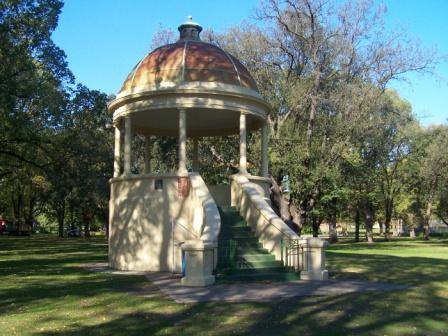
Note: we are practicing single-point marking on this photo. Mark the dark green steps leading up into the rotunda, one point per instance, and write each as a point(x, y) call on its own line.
point(241, 257)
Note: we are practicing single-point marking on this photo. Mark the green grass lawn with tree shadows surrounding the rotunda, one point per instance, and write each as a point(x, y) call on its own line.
point(43, 291)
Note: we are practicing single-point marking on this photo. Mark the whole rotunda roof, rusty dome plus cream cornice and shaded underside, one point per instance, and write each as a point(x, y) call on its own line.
point(212, 85)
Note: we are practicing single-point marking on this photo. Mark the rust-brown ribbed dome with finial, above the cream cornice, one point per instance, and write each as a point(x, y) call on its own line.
point(187, 60)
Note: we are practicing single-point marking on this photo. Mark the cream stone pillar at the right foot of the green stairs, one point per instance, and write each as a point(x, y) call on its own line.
point(312, 259)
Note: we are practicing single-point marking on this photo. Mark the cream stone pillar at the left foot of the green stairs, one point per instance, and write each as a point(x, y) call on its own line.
point(199, 263)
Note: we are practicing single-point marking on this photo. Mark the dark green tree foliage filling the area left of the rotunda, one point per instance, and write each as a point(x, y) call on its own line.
point(55, 148)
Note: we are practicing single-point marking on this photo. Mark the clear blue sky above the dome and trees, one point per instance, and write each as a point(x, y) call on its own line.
point(104, 39)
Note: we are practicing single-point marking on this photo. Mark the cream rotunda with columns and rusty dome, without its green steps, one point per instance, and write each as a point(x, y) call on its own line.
point(159, 222)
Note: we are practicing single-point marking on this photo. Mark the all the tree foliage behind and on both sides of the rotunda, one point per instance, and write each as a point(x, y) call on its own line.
point(348, 144)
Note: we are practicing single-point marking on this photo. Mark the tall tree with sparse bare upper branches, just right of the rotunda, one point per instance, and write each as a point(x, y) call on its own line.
point(322, 68)
